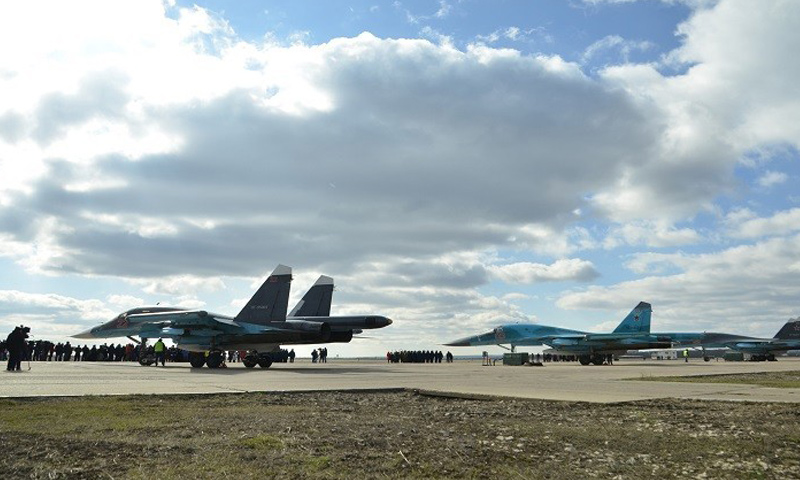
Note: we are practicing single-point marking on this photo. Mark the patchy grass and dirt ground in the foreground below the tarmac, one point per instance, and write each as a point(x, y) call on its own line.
point(398, 434)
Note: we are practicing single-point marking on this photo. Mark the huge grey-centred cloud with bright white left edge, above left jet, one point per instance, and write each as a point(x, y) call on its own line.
point(245, 156)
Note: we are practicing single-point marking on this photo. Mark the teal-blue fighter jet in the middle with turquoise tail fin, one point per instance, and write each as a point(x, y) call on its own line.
point(632, 334)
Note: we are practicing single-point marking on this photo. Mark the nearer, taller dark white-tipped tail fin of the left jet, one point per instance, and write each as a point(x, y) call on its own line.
point(270, 302)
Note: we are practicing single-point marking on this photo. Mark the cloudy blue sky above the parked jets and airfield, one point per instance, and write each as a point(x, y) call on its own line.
point(453, 165)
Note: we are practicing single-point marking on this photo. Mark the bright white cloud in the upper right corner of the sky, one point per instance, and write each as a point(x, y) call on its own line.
point(720, 109)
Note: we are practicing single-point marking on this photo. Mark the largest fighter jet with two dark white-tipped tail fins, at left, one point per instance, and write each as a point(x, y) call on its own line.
point(259, 328)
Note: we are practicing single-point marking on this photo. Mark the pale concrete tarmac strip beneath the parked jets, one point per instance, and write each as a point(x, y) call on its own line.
point(554, 381)
